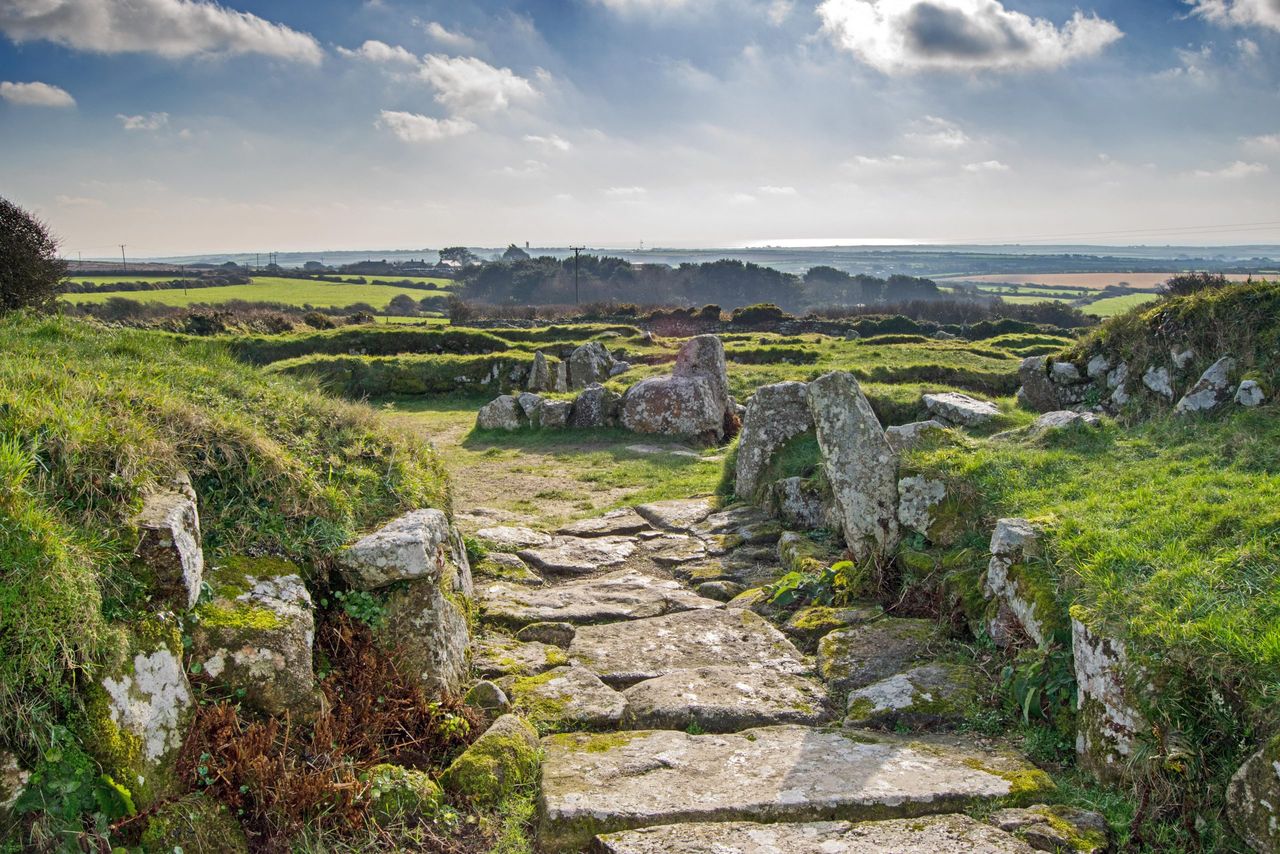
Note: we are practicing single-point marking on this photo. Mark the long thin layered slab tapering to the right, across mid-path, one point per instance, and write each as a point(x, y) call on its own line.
point(625, 595)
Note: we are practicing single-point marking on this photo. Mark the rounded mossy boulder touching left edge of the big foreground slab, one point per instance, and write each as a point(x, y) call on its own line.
point(508, 756)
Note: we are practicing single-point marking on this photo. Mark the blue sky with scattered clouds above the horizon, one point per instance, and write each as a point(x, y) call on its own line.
point(190, 127)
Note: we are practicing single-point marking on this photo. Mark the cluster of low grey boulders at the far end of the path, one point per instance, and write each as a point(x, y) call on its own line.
point(692, 403)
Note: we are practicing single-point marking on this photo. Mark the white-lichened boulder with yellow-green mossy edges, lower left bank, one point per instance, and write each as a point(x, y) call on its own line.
point(139, 711)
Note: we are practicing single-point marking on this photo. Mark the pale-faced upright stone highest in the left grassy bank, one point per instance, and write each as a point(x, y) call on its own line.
point(170, 547)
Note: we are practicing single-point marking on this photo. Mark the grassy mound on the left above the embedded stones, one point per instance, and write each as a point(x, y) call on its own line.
point(92, 418)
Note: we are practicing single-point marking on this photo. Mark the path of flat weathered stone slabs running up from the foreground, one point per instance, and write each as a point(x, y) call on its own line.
point(680, 724)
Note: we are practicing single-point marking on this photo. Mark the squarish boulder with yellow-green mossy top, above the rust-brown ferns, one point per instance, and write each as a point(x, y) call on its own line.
point(257, 636)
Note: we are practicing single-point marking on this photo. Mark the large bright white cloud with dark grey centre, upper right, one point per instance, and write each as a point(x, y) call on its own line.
point(903, 36)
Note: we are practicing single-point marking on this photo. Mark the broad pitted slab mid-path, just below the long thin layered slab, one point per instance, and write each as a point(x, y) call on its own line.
point(625, 654)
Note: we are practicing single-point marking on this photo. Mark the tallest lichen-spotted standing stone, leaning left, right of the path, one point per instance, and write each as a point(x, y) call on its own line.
point(861, 465)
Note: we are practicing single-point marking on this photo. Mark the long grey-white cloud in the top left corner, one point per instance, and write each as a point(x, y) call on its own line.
point(172, 29)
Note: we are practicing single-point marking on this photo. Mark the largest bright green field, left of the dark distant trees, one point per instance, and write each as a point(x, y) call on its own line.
point(266, 289)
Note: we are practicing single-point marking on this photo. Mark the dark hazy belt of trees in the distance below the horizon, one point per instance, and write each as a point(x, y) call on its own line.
point(548, 281)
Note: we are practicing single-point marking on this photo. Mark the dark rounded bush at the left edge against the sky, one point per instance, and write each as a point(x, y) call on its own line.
point(30, 268)
